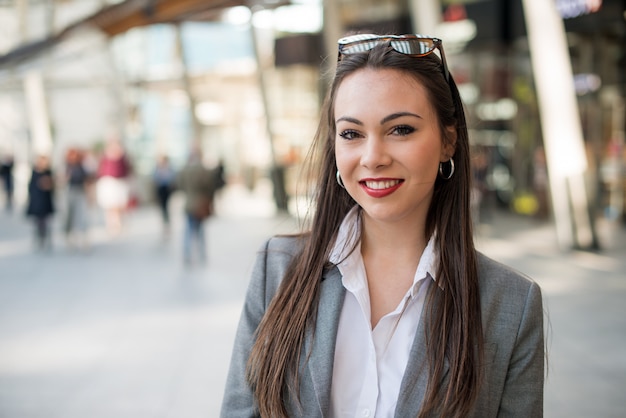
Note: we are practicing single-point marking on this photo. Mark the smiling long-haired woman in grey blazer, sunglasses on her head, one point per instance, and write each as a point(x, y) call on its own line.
point(384, 308)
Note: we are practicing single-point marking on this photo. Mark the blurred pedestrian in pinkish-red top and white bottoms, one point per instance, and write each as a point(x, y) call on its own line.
point(112, 188)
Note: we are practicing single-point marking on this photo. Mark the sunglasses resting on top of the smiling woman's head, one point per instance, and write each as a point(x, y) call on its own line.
point(411, 45)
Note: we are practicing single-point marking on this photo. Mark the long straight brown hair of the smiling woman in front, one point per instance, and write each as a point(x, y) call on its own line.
point(452, 311)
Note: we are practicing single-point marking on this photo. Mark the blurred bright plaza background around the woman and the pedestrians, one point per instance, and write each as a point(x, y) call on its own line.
point(121, 327)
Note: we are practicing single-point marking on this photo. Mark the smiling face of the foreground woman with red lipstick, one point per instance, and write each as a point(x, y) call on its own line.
point(388, 144)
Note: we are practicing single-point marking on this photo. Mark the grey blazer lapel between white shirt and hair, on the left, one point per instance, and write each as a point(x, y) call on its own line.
point(321, 347)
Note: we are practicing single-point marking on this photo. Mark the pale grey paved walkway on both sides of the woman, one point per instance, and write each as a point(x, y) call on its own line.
point(126, 331)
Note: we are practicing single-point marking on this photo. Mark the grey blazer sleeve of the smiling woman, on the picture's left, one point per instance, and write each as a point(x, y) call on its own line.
point(268, 271)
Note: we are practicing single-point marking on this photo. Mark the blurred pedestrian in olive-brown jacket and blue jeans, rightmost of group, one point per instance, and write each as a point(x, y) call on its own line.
point(198, 184)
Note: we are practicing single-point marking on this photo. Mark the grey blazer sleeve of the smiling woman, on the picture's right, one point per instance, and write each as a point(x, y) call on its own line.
point(522, 395)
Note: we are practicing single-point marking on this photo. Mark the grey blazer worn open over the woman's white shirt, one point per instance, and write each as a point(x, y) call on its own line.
point(512, 318)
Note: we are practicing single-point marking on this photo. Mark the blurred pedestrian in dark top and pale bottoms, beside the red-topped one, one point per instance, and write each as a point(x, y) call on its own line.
point(77, 180)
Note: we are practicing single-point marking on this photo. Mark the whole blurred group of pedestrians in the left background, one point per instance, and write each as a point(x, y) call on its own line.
point(89, 182)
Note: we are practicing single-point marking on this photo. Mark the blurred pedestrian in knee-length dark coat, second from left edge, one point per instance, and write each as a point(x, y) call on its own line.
point(40, 206)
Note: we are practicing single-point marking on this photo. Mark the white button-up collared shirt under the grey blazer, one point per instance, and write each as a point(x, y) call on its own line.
point(370, 363)
